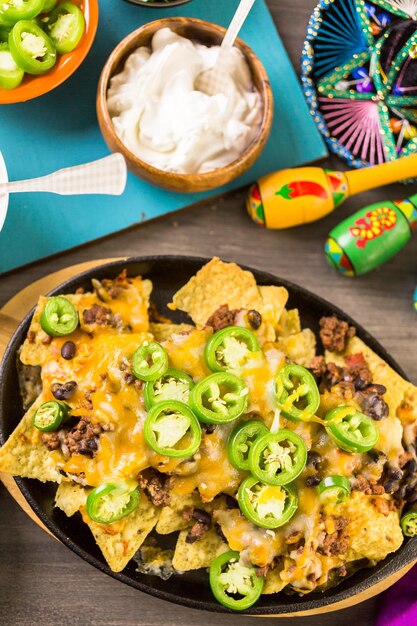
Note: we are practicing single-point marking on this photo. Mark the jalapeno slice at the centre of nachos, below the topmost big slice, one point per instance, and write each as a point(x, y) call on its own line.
point(219, 398)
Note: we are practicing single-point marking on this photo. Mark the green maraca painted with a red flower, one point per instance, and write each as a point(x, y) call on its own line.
point(371, 236)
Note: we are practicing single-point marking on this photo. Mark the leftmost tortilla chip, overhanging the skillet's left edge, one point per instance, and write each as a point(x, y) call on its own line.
point(25, 455)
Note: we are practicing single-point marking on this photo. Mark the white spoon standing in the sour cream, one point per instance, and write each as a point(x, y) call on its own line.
point(214, 80)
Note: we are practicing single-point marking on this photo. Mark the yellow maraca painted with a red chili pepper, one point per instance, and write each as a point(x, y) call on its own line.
point(296, 196)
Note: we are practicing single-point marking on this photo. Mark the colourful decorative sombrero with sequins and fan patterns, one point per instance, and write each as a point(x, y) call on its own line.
point(359, 73)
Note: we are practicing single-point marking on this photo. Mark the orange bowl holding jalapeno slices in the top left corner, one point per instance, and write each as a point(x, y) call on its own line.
point(34, 86)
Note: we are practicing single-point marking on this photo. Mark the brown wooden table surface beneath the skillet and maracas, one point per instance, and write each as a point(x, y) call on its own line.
point(41, 581)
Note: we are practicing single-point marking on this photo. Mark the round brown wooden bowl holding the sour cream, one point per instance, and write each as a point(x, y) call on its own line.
point(208, 34)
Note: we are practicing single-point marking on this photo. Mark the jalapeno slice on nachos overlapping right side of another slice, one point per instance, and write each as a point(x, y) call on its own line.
point(278, 458)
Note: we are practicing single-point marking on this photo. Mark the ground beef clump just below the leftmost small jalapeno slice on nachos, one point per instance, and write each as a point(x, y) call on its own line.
point(79, 436)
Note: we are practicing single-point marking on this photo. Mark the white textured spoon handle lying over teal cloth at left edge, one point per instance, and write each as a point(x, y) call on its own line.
point(105, 176)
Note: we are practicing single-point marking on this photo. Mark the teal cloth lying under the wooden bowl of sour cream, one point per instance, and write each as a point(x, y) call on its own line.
point(60, 129)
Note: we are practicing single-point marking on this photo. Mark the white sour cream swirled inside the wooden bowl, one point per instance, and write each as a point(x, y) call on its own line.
point(162, 118)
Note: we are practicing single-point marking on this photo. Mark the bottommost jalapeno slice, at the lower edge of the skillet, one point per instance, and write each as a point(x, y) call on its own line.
point(234, 585)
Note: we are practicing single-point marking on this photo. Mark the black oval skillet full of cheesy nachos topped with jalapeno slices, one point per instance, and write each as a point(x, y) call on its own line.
point(212, 435)
